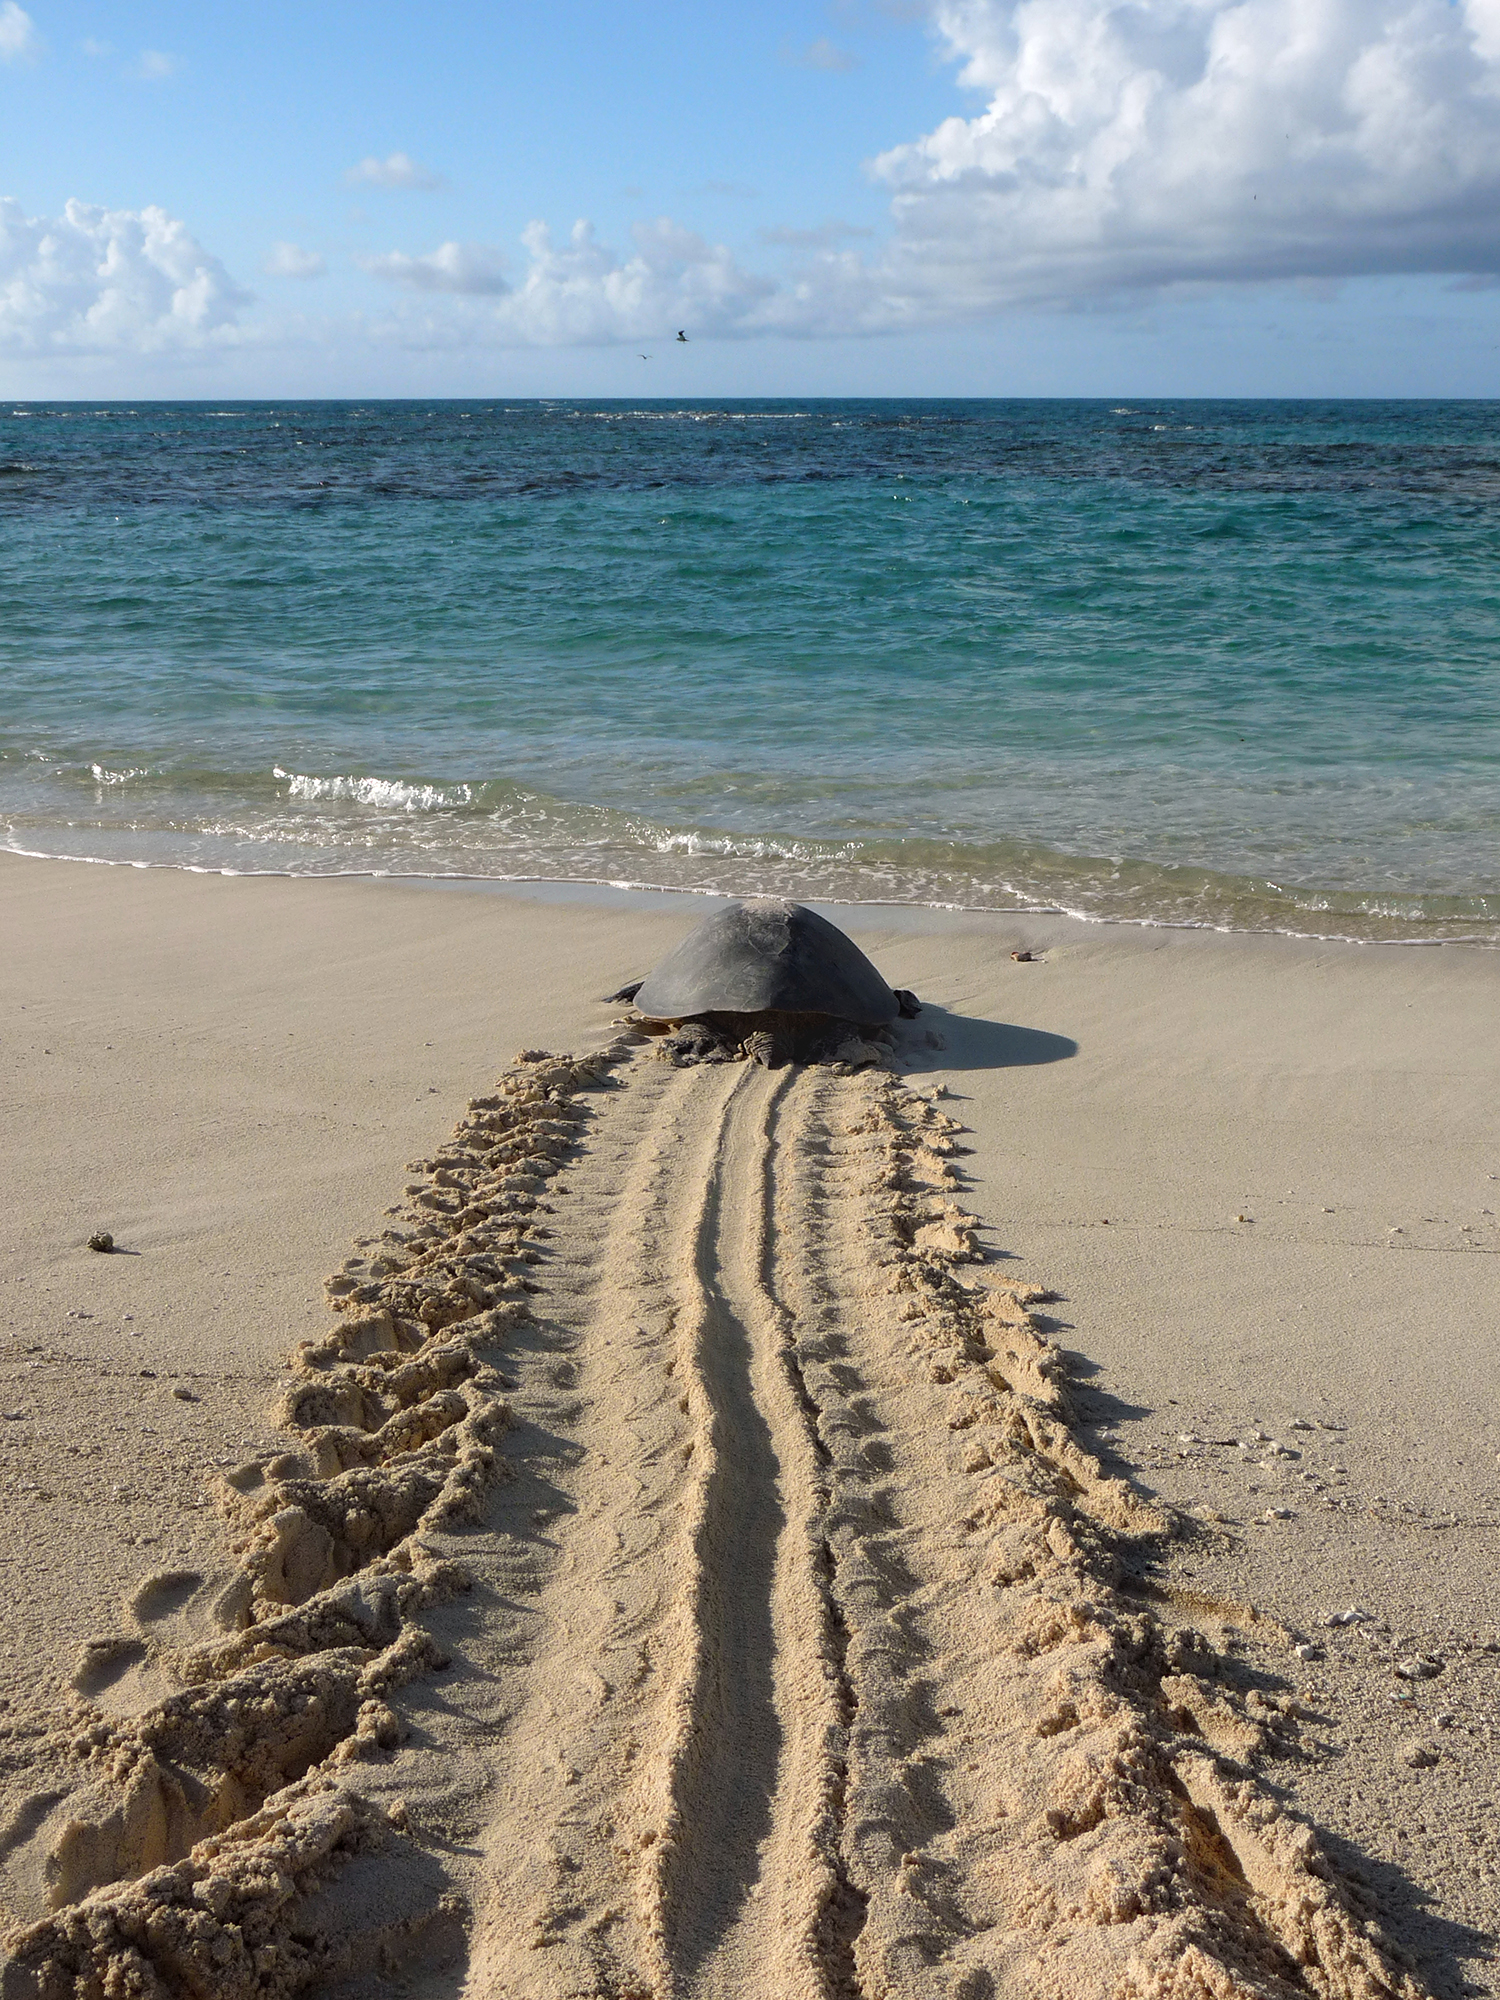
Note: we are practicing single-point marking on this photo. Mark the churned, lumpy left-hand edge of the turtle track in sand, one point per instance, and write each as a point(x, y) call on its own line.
point(181, 1849)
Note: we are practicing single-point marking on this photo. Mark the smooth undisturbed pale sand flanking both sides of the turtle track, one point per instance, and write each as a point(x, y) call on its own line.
point(1259, 1171)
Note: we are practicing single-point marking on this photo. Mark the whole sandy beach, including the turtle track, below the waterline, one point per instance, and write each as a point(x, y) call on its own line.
point(743, 1533)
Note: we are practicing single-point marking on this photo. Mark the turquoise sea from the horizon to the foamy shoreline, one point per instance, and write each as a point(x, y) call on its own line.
point(1179, 663)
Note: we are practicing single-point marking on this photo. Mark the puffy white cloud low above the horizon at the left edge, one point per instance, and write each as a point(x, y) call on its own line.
point(99, 281)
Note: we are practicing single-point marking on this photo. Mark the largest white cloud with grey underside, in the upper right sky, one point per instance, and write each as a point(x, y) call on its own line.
point(1137, 147)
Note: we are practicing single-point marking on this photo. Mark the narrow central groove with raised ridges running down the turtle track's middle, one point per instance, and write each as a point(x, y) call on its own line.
point(751, 1871)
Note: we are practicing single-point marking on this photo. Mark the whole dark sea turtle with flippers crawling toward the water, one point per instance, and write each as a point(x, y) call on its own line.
point(771, 981)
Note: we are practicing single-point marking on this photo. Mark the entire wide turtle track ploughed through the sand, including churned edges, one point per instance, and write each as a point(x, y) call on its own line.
point(803, 1651)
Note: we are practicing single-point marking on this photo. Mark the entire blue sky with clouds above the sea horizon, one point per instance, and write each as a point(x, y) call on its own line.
point(827, 197)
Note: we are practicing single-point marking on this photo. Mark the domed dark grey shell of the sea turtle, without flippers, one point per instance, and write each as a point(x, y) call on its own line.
point(767, 955)
